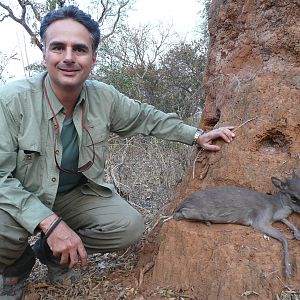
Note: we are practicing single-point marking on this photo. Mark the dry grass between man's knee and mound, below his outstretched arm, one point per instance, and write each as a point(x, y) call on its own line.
point(147, 171)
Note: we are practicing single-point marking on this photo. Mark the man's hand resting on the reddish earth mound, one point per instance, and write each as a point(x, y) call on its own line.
point(205, 141)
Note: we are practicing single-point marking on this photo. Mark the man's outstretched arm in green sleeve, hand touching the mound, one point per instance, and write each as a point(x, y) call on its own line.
point(131, 117)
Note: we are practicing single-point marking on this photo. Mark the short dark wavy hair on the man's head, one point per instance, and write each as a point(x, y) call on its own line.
point(72, 12)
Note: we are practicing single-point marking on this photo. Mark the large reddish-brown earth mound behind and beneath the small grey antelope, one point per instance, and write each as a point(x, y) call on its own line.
point(252, 78)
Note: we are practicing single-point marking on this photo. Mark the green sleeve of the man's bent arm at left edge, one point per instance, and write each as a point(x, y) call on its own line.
point(21, 204)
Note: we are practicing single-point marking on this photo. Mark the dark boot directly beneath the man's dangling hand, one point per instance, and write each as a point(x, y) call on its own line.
point(57, 273)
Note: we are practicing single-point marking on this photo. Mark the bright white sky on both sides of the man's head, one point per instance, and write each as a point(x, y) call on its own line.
point(182, 15)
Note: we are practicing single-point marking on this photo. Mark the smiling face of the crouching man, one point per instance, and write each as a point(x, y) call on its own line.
point(68, 55)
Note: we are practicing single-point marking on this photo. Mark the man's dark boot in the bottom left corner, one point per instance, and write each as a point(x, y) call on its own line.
point(12, 278)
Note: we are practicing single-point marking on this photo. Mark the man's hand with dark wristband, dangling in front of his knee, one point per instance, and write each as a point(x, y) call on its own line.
point(65, 243)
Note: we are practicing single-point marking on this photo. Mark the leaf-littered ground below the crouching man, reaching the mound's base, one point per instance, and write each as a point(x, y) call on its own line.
point(111, 276)
